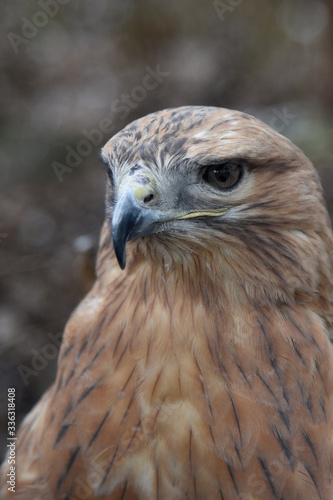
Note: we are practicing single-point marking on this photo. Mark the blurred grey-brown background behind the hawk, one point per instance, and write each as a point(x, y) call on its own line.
point(75, 72)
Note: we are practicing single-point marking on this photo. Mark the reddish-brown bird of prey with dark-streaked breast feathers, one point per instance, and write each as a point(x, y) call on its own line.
point(199, 366)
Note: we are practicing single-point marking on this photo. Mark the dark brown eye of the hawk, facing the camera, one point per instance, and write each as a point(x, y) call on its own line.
point(224, 175)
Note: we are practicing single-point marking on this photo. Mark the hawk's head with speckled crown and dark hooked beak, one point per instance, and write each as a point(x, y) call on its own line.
point(220, 192)
